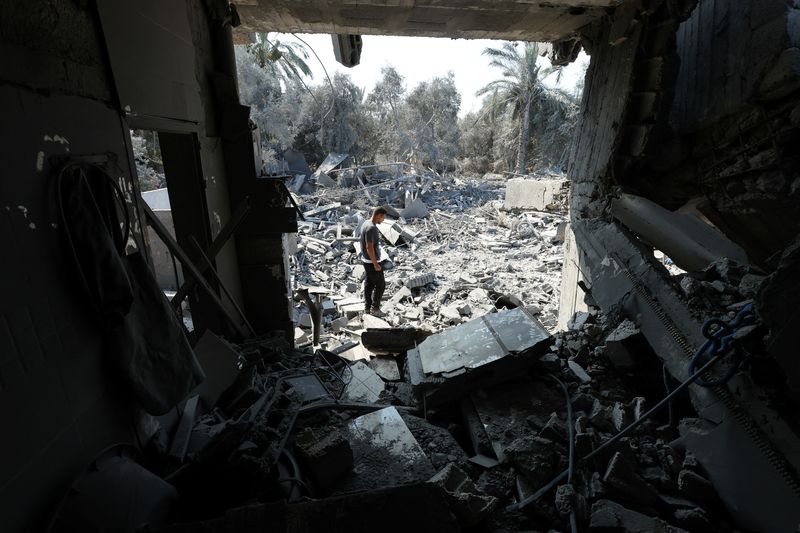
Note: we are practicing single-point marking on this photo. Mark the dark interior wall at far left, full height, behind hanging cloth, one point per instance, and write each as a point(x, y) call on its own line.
point(58, 405)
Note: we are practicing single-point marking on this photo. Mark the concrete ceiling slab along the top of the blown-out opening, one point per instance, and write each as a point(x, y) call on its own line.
point(514, 20)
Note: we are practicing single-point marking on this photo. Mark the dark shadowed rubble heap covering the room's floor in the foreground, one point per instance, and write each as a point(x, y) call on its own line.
point(294, 435)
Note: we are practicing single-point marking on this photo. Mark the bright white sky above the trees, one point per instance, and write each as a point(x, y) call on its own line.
point(419, 59)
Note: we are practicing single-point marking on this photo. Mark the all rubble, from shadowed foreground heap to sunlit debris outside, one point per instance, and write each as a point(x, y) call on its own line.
point(460, 410)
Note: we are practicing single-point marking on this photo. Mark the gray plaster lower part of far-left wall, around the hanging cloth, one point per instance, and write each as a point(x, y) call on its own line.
point(59, 401)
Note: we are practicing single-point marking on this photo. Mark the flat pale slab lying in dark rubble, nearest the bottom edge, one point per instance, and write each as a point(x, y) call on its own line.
point(385, 453)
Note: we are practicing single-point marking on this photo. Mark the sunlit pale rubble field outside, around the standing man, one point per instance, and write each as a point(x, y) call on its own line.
point(457, 252)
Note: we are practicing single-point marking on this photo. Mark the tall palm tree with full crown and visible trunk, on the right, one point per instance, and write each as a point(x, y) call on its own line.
point(520, 87)
